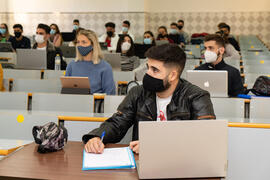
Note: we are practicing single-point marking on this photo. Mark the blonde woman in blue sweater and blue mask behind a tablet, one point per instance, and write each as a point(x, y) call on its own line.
point(89, 63)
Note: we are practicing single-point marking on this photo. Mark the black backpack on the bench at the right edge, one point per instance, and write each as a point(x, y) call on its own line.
point(261, 86)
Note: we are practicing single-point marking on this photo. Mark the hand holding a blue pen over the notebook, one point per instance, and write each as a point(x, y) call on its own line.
point(94, 145)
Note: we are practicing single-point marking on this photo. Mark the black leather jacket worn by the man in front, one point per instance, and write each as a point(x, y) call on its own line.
point(189, 102)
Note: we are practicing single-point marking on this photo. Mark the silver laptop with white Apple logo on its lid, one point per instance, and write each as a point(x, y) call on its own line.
point(215, 82)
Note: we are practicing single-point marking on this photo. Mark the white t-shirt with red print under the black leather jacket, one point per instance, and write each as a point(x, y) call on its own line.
point(162, 108)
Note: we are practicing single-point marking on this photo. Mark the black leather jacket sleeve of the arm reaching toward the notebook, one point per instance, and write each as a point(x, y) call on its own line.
point(116, 127)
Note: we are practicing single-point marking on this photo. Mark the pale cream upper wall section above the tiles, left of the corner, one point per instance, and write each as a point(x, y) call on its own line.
point(20, 6)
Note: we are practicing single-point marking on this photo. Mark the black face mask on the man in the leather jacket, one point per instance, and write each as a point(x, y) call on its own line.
point(154, 85)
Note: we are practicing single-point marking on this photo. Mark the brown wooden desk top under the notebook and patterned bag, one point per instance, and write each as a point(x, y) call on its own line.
point(65, 164)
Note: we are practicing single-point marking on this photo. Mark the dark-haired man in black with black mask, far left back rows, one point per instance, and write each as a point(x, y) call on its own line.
point(19, 41)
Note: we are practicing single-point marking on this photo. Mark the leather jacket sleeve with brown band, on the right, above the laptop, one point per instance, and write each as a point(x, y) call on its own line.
point(202, 107)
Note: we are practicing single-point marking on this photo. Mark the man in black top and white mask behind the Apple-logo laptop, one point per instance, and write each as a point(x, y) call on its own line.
point(215, 49)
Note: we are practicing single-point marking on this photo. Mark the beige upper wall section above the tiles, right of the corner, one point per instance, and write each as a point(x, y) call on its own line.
point(206, 5)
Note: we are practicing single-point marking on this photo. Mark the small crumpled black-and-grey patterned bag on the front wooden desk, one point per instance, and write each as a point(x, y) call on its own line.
point(51, 137)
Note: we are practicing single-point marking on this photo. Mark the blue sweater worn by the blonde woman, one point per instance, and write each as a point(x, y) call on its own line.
point(100, 75)
